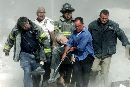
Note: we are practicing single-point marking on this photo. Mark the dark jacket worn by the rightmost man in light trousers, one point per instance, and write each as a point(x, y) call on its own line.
point(105, 38)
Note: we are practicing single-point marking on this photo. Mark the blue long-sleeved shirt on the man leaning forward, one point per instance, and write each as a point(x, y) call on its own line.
point(83, 42)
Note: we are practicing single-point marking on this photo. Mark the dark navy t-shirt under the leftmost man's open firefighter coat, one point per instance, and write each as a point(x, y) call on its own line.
point(29, 43)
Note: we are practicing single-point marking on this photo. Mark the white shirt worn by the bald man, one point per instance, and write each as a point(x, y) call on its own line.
point(47, 25)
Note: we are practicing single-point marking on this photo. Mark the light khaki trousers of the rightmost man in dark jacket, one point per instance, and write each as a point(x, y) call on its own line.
point(100, 70)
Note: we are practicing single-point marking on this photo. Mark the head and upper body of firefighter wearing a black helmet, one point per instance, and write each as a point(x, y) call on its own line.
point(65, 23)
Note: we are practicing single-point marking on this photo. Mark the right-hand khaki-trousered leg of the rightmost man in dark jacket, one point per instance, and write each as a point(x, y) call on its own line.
point(104, 71)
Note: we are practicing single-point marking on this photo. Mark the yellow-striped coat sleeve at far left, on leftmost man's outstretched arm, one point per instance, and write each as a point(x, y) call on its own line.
point(11, 39)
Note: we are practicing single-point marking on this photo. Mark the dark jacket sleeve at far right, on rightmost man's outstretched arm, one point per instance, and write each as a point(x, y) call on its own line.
point(121, 36)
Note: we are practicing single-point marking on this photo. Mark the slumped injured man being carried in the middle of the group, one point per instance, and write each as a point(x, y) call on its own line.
point(61, 70)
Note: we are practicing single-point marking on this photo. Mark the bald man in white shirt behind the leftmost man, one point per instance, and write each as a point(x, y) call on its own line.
point(48, 27)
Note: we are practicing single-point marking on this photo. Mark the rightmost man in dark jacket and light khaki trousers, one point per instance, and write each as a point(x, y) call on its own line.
point(105, 33)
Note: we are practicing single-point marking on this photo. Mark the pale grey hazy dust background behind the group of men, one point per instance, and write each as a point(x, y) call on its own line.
point(10, 10)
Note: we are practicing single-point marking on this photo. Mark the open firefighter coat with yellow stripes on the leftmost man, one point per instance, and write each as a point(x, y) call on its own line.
point(14, 39)
